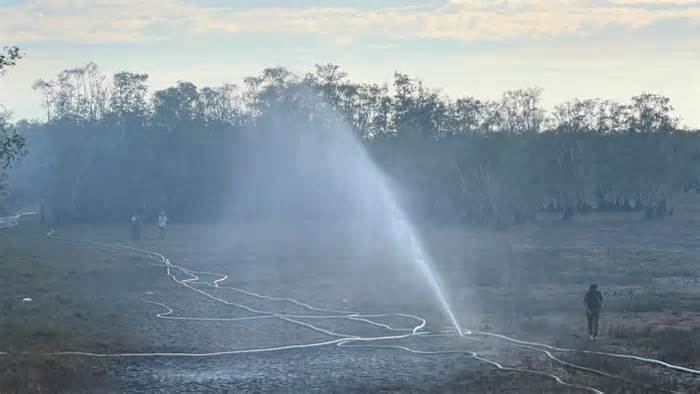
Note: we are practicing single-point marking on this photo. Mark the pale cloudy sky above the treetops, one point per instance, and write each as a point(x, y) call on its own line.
point(612, 49)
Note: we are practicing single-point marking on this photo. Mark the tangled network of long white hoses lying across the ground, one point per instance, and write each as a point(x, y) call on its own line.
point(342, 340)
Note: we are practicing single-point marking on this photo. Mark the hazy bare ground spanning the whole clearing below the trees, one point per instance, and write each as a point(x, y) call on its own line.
point(527, 283)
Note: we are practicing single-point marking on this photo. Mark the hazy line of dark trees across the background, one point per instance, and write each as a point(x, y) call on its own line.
point(109, 146)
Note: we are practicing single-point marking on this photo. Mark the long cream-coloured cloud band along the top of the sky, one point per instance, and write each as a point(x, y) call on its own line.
point(127, 21)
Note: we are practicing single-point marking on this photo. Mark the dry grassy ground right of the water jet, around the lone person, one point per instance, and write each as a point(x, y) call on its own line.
point(530, 282)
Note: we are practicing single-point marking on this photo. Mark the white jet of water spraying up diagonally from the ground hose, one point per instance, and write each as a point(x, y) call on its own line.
point(328, 170)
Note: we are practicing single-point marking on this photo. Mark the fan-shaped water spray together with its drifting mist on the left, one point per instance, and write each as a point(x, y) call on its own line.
point(318, 191)
